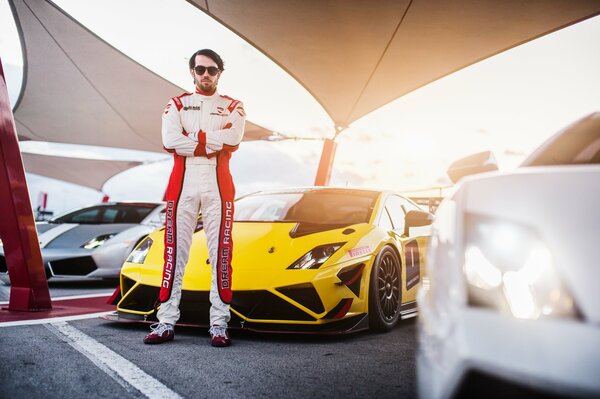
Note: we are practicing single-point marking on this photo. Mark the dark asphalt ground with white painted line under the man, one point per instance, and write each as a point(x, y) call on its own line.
point(44, 361)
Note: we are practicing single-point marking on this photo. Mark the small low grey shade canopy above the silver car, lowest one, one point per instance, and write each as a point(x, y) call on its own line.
point(91, 173)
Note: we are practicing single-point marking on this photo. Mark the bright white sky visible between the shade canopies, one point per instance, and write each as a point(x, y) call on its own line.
point(508, 103)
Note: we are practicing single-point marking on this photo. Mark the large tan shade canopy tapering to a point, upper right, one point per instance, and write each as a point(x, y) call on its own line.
point(356, 56)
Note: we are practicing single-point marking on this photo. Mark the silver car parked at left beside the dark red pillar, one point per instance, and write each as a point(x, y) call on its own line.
point(93, 242)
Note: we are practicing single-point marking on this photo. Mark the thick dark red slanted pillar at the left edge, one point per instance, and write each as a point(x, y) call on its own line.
point(29, 287)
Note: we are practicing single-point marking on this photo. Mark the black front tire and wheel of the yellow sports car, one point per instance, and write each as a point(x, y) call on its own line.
point(385, 291)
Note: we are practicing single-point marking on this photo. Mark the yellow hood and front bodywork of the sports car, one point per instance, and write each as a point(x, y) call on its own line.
point(262, 253)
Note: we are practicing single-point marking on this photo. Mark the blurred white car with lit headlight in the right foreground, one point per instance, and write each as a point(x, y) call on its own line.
point(511, 304)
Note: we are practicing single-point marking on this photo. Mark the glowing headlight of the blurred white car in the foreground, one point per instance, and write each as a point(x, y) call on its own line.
point(509, 268)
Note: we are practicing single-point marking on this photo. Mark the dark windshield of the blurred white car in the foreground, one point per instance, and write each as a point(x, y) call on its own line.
point(578, 144)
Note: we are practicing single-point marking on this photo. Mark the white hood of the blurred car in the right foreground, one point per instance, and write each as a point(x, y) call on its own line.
point(561, 205)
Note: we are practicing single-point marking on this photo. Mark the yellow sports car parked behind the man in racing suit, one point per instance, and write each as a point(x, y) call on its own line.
point(312, 260)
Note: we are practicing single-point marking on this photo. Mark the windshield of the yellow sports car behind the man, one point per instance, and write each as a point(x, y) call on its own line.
point(313, 206)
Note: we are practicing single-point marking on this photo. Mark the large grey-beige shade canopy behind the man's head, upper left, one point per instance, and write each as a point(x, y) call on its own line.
point(77, 88)
